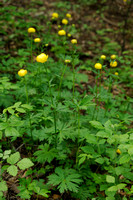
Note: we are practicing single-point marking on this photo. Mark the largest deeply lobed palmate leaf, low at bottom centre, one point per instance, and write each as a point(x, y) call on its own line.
point(66, 179)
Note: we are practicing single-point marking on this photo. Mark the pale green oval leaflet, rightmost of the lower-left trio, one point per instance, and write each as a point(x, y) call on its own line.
point(25, 163)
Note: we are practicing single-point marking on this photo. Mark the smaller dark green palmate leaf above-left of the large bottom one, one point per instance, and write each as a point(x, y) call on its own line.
point(44, 154)
